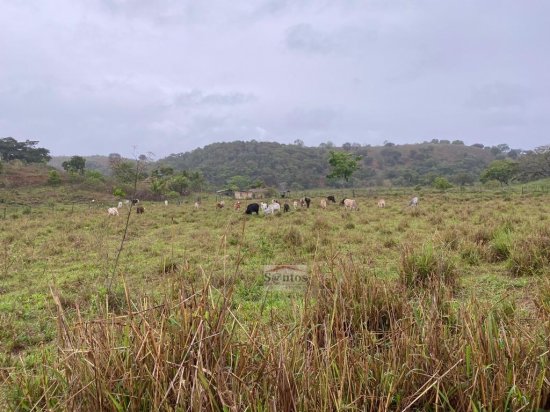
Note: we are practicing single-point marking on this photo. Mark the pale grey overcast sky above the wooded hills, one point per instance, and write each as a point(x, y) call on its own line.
point(167, 76)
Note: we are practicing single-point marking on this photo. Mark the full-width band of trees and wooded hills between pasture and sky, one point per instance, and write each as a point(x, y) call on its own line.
point(242, 165)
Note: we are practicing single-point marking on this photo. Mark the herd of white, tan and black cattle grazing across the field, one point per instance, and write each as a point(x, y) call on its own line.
point(267, 209)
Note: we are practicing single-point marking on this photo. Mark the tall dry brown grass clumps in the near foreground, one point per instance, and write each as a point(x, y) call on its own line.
point(356, 342)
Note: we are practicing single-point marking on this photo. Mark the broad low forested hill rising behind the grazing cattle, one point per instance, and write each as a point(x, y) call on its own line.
point(297, 166)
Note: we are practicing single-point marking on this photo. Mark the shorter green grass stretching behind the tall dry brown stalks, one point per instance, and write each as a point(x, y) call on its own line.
point(473, 240)
